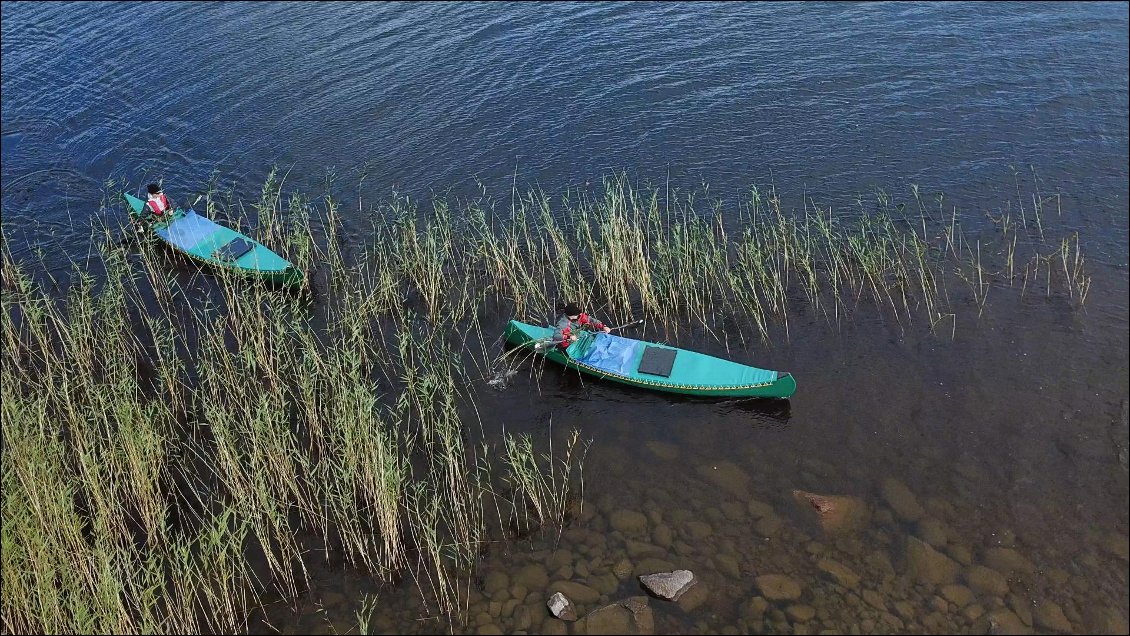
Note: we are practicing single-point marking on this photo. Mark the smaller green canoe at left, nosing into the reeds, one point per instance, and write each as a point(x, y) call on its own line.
point(205, 241)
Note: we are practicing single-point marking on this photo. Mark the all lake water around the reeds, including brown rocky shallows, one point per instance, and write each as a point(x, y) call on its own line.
point(1011, 435)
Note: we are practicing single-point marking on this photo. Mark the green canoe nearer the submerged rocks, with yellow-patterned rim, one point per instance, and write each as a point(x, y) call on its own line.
point(656, 367)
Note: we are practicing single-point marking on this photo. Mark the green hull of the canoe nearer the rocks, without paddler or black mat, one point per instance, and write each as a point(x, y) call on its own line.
point(701, 376)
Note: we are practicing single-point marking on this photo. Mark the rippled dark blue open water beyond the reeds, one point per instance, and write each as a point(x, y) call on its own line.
point(830, 100)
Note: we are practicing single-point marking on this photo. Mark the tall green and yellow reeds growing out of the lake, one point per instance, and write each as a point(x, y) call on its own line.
point(175, 458)
